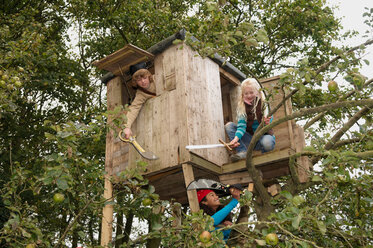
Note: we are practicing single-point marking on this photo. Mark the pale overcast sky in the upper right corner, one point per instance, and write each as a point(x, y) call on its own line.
point(351, 12)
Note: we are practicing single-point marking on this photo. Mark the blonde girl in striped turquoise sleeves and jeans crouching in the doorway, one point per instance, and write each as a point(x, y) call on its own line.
point(249, 116)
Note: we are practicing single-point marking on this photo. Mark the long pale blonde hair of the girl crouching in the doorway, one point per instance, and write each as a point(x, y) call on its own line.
point(254, 84)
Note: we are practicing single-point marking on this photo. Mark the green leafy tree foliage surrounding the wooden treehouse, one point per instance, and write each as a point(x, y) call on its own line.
point(53, 123)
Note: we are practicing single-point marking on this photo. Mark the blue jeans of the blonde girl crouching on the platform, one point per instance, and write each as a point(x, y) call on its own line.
point(266, 143)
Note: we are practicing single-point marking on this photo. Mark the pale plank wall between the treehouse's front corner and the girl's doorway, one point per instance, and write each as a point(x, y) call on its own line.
point(205, 111)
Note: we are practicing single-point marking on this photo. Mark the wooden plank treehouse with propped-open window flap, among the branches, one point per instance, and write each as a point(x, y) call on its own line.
point(195, 97)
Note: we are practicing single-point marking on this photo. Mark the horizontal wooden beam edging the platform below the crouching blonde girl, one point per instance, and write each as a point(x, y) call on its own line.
point(265, 158)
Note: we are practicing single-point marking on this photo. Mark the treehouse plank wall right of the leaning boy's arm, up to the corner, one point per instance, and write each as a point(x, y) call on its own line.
point(161, 124)
